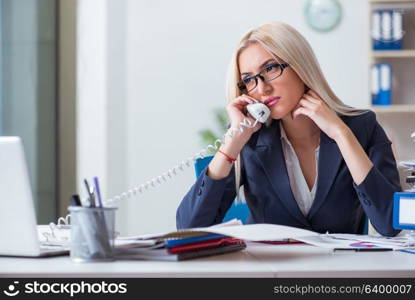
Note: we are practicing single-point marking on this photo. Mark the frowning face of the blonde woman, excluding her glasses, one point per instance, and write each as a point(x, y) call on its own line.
point(286, 90)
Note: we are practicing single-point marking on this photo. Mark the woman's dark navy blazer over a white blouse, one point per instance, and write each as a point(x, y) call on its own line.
point(340, 206)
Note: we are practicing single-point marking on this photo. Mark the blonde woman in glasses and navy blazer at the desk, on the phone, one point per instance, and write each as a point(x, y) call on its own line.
point(319, 165)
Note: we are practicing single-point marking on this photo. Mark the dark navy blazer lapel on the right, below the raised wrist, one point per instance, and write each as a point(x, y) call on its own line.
point(329, 162)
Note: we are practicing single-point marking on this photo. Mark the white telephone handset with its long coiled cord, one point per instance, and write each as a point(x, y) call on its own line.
point(259, 111)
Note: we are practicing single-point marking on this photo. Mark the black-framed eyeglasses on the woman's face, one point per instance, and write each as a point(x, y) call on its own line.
point(268, 73)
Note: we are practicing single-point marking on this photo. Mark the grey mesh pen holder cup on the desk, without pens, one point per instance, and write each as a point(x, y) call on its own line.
point(92, 233)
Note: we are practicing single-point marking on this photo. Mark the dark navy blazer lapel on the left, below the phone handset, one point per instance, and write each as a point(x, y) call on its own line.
point(268, 151)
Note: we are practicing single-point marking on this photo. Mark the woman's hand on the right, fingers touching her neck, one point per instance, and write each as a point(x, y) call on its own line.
point(312, 106)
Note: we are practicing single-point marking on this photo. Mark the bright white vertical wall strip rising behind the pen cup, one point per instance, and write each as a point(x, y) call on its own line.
point(92, 98)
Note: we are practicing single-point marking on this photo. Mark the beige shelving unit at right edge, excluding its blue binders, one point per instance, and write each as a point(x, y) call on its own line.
point(398, 118)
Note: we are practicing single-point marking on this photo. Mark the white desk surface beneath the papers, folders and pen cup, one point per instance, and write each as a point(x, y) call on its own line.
point(257, 260)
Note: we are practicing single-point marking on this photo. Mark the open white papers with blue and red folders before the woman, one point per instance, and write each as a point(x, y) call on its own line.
point(206, 241)
